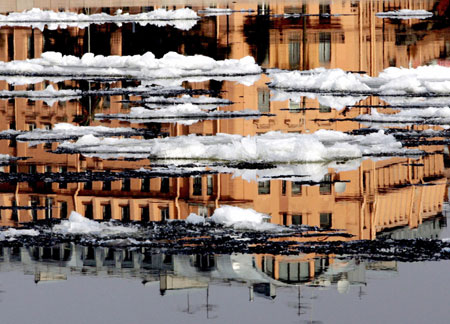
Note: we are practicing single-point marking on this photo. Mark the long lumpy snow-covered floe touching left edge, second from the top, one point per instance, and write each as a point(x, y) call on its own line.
point(143, 67)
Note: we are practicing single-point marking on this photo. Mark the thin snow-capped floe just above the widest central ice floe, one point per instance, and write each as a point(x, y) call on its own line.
point(185, 114)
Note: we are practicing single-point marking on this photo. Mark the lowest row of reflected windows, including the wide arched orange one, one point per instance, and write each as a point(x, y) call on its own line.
point(288, 271)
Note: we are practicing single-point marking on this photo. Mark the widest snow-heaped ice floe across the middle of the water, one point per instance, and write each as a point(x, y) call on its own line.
point(276, 147)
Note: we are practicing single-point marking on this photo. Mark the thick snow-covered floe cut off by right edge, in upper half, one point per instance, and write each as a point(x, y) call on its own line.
point(424, 80)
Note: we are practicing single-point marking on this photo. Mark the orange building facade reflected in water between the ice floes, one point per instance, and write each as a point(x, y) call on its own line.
point(377, 196)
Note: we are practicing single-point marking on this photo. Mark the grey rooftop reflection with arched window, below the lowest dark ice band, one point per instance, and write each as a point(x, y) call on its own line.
point(263, 274)
